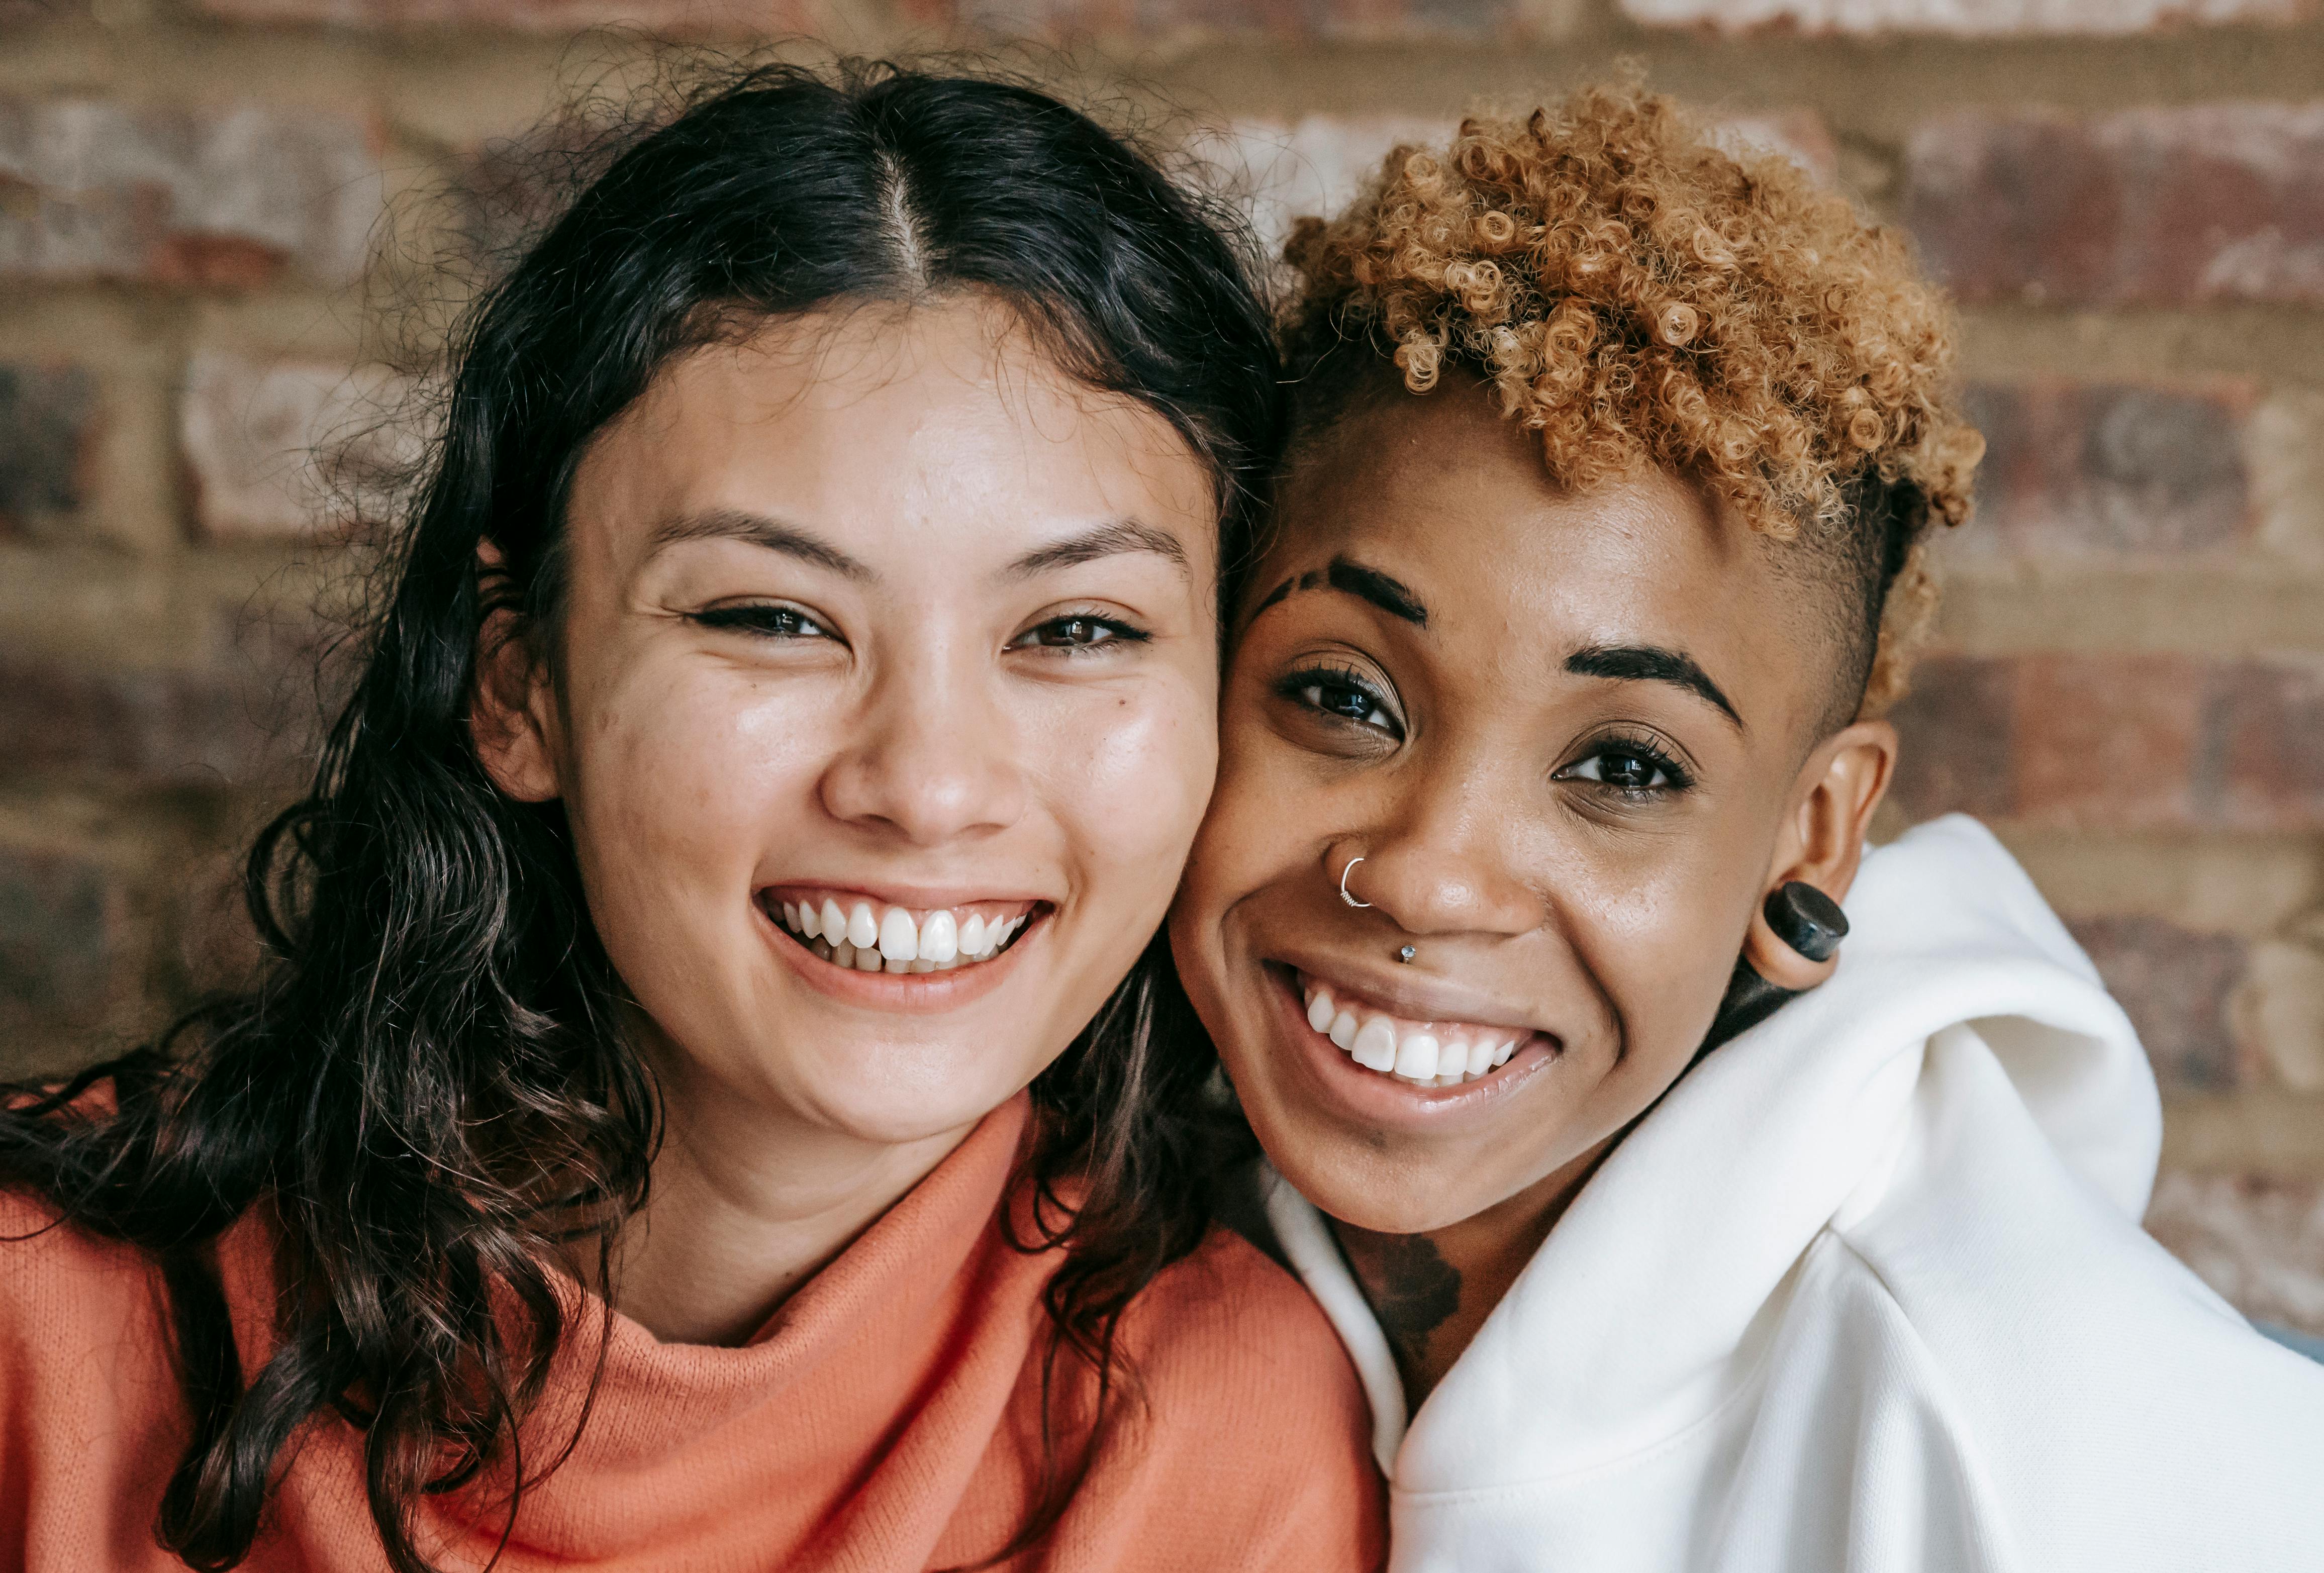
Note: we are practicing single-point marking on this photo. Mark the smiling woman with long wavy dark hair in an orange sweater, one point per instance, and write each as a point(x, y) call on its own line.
point(775, 756)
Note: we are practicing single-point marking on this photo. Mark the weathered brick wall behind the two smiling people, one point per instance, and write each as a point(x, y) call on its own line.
point(2125, 194)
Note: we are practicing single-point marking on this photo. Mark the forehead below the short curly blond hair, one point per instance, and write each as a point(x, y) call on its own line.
point(1454, 501)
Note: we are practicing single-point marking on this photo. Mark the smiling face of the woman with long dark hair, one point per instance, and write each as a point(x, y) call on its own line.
point(882, 712)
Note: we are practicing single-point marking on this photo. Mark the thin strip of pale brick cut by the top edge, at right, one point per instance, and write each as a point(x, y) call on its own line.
point(1956, 17)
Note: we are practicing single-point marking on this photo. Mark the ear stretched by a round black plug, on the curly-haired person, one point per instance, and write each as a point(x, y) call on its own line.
point(1823, 840)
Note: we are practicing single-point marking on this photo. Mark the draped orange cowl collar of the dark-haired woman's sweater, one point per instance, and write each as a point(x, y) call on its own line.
point(849, 1432)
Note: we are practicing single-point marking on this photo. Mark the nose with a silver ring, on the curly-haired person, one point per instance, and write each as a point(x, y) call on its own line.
point(1442, 863)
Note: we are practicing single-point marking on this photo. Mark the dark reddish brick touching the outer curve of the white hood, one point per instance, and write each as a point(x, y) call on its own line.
point(2176, 986)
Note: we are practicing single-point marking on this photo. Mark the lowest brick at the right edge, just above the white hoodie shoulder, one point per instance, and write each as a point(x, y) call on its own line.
point(2253, 1240)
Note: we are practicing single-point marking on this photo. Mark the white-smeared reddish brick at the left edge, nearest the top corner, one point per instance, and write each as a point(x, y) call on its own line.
point(215, 199)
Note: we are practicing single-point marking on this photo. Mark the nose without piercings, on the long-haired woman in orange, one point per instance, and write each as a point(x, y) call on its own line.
point(931, 759)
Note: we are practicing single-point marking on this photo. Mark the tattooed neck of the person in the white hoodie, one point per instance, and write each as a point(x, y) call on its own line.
point(1435, 1291)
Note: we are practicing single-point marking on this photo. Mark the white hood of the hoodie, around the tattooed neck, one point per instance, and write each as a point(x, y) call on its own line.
point(1658, 1293)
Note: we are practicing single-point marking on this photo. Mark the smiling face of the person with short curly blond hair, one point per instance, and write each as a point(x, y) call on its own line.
point(1572, 740)
